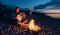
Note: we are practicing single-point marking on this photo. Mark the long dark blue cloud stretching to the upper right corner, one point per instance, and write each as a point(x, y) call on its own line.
point(55, 3)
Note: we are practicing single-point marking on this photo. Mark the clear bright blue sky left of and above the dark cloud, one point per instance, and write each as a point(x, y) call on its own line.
point(24, 3)
